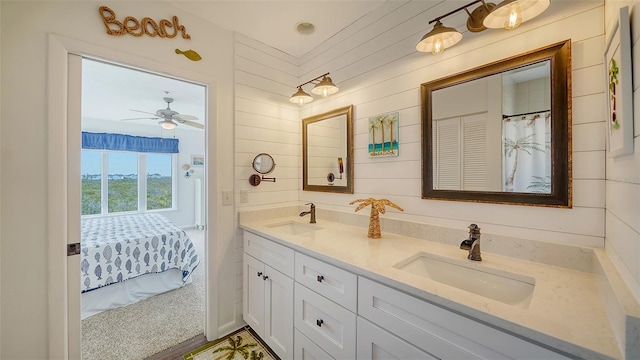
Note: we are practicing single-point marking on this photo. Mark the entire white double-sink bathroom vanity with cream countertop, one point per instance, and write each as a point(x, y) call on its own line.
point(342, 295)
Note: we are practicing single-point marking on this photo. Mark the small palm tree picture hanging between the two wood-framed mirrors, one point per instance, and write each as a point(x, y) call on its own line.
point(384, 131)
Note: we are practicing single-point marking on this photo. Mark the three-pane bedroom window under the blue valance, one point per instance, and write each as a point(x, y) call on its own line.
point(123, 181)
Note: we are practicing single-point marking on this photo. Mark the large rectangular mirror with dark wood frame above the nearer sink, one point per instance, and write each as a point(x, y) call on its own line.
point(501, 133)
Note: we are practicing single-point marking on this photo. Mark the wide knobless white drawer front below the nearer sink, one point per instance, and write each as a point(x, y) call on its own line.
point(439, 331)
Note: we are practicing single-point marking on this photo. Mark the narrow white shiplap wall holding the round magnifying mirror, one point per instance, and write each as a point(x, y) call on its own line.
point(265, 122)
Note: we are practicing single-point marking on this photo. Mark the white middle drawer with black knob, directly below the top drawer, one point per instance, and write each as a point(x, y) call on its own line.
point(327, 324)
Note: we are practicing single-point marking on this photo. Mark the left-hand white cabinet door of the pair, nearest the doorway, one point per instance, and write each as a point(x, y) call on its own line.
point(253, 288)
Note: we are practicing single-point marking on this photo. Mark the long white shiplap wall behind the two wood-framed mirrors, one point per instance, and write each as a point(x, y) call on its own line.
point(375, 64)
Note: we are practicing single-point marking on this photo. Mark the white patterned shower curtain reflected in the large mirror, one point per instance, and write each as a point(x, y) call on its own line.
point(526, 165)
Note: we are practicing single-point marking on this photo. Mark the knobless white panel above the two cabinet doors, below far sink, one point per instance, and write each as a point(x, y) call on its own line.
point(273, 254)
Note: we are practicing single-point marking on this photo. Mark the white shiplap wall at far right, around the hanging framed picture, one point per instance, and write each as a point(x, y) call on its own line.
point(623, 173)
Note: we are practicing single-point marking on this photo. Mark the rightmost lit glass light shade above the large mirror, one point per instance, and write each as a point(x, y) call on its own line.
point(509, 14)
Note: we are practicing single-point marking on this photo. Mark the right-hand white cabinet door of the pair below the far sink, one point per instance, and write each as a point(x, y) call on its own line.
point(278, 321)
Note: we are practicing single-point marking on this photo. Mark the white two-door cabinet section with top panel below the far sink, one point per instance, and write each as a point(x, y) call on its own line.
point(267, 299)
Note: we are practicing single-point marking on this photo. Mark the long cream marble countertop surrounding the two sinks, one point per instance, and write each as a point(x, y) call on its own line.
point(566, 311)
